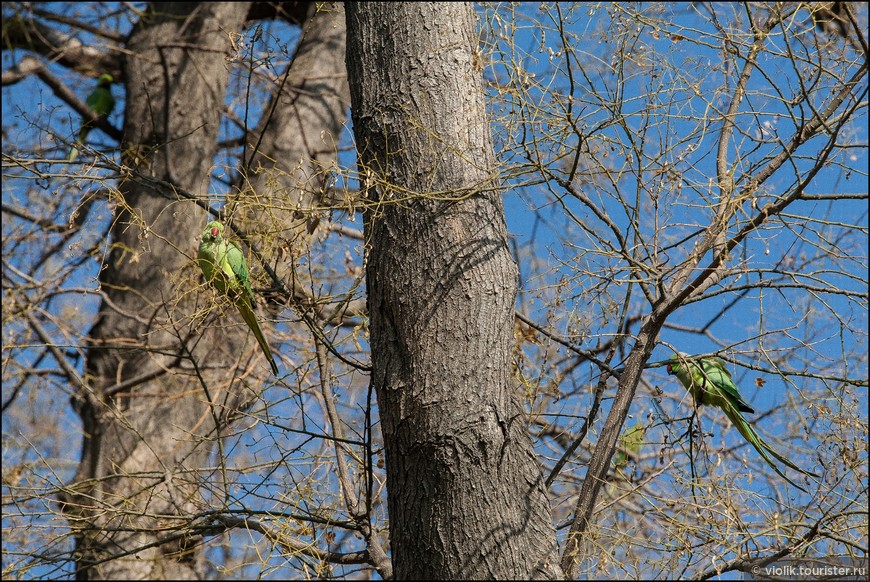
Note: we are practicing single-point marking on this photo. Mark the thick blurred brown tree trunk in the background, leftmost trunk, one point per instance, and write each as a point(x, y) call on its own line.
point(147, 418)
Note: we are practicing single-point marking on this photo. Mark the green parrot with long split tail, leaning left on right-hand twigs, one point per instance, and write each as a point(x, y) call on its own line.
point(709, 382)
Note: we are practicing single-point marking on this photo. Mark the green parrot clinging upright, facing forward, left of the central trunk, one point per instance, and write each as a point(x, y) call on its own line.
point(224, 266)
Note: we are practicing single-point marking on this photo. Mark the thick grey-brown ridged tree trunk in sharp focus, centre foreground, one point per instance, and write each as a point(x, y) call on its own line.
point(466, 496)
